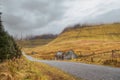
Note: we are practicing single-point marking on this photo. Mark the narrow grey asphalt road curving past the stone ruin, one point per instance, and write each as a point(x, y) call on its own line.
point(84, 71)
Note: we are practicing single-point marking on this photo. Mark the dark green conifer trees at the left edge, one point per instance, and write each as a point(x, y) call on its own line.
point(8, 47)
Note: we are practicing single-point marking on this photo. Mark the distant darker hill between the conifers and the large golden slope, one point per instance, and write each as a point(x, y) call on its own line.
point(38, 40)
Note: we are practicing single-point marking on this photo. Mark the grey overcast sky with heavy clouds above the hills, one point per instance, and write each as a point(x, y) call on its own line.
point(36, 17)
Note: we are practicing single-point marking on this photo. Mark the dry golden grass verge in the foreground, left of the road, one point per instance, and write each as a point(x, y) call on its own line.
point(21, 69)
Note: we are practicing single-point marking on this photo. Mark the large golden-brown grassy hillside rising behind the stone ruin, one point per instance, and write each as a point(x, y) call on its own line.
point(83, 40)
